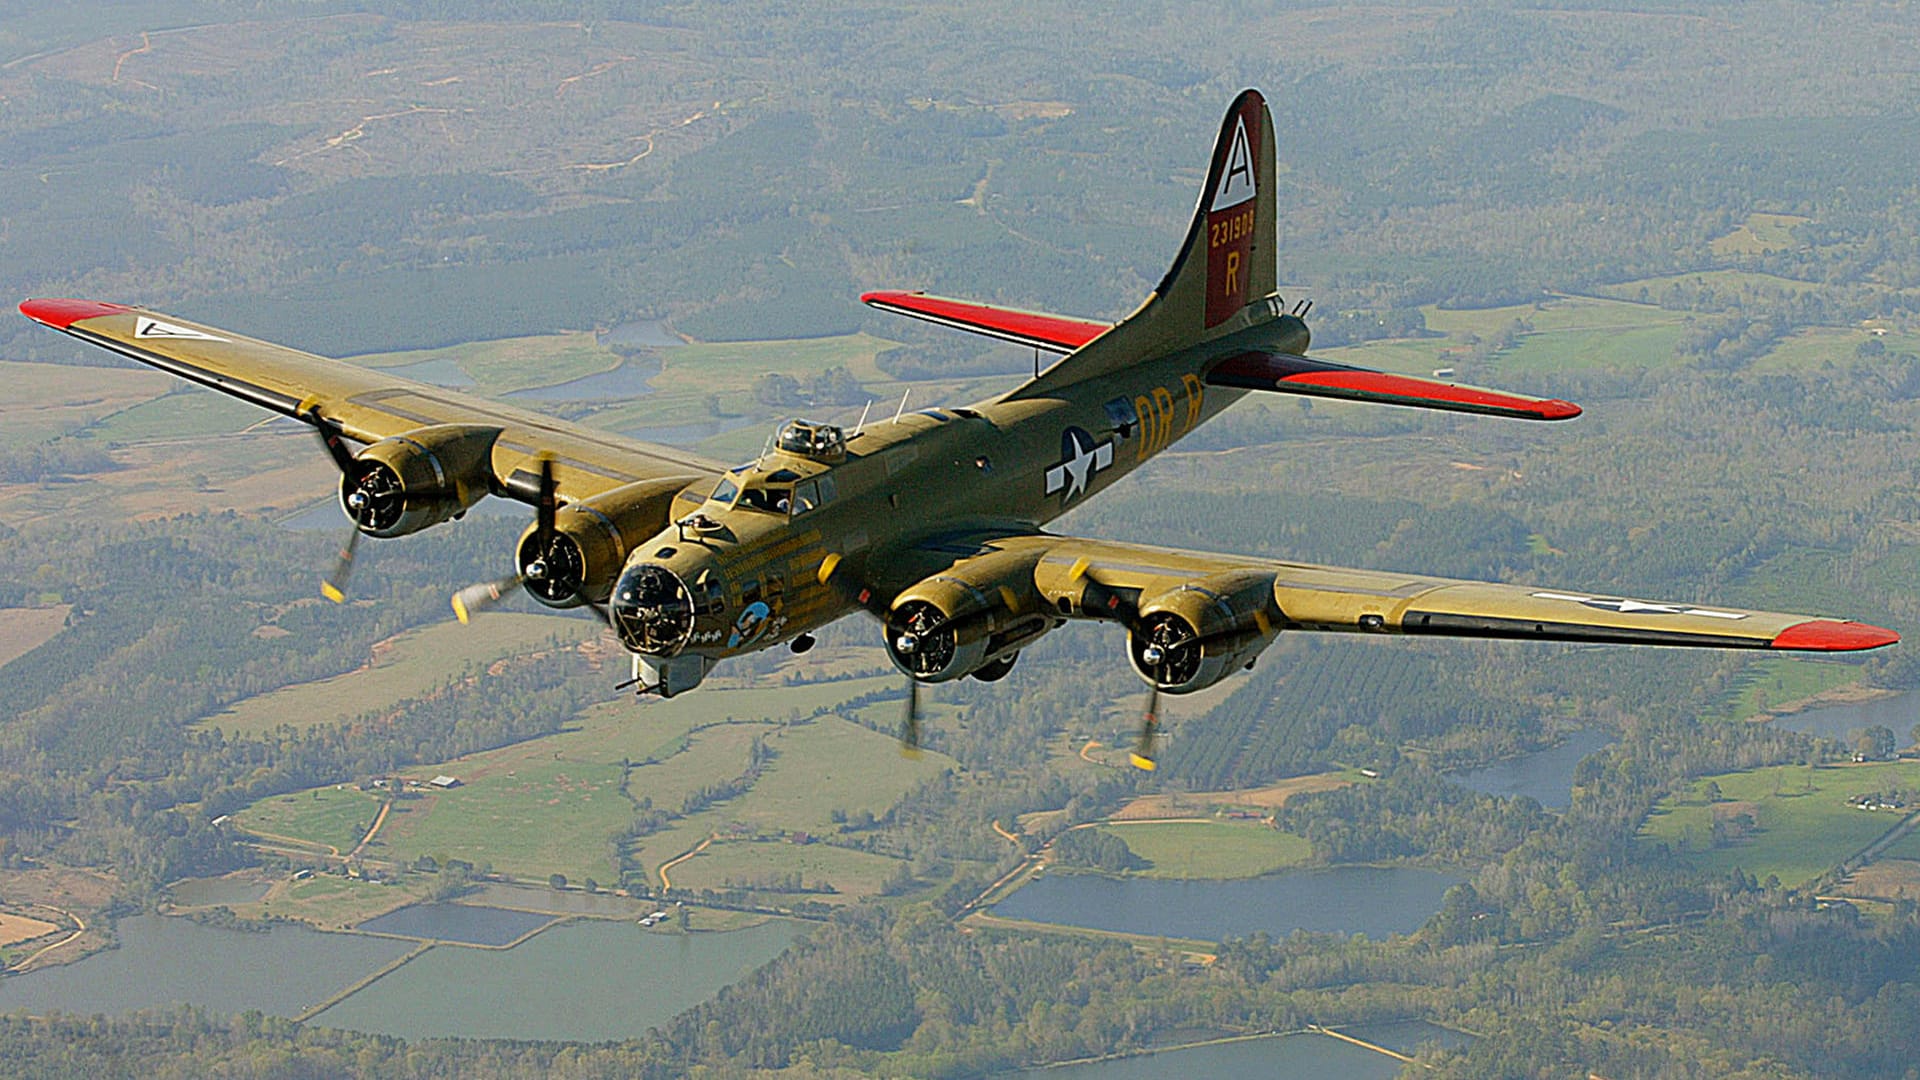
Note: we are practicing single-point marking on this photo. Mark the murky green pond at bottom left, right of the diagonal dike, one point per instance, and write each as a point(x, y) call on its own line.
point(585, 981)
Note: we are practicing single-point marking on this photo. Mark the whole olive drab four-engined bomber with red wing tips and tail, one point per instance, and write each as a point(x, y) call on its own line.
point(932, 522)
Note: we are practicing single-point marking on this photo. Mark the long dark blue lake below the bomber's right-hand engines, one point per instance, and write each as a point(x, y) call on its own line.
point(1347, 900)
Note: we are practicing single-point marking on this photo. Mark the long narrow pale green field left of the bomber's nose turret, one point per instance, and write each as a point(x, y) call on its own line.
point(412, 664)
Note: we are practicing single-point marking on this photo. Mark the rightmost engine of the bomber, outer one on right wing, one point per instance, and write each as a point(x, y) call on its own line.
point(1199, 633)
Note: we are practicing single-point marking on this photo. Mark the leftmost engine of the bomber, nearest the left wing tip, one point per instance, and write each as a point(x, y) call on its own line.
point(412, 481)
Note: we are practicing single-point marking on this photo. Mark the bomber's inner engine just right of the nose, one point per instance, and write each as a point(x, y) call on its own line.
point(974, 616)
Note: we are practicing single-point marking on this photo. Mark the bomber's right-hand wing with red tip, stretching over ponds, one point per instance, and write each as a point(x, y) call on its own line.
point(1270, 595)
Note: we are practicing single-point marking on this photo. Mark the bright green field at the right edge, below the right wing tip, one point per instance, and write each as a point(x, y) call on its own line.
point(1806, 825)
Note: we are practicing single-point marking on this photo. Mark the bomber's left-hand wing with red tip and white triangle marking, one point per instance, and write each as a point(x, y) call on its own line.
point(368, 405)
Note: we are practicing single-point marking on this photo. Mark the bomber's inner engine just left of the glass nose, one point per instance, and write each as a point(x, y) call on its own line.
point(592, 541)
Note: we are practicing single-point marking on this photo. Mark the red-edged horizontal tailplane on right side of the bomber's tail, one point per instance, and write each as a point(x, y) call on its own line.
point(1324, 380)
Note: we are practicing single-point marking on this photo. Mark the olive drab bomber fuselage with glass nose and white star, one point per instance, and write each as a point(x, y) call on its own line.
point(763, 566)
